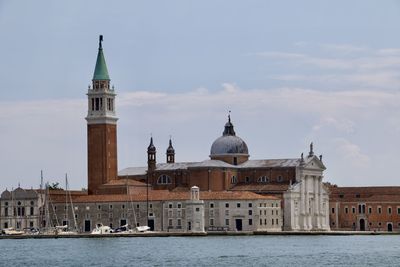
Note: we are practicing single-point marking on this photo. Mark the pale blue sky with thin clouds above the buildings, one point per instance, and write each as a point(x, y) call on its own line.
point(291, 72)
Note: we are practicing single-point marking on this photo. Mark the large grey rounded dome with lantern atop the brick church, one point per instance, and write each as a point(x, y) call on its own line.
point(229, 143)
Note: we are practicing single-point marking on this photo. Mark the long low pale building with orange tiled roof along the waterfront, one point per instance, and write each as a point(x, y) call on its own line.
point(190, 211)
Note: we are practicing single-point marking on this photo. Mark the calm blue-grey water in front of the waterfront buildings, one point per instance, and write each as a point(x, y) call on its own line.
point(204, 251)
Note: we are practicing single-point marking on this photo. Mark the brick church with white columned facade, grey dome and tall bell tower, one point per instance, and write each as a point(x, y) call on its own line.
point(296, 182)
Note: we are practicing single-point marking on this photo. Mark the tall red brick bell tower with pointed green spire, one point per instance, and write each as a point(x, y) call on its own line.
point(101, 127)
